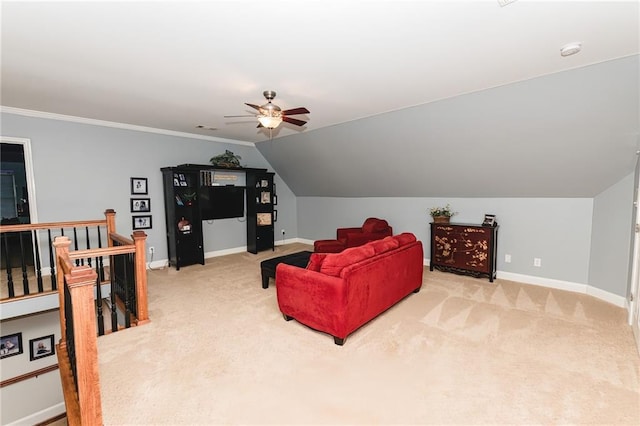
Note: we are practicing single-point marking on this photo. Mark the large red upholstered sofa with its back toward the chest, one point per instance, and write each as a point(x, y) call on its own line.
point(339, 292)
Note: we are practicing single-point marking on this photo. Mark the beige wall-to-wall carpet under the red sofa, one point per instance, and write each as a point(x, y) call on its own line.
point(461, 351)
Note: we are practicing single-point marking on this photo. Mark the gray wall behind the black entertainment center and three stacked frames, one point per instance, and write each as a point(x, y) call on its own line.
point(82, 169)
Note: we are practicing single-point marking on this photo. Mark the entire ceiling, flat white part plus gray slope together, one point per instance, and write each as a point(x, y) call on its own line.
point(407, 98)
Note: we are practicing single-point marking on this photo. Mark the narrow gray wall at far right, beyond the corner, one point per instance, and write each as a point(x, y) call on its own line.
point(611, 237)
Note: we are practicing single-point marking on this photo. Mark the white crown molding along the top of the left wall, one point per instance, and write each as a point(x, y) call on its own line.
point(94, 122)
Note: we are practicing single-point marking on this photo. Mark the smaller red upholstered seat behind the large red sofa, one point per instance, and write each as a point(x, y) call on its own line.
point(372, 229)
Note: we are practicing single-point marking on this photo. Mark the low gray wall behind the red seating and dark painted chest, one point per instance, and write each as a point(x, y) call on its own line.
point(557, 230)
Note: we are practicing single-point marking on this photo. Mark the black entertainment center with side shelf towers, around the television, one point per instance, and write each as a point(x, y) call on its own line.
point(194, 193)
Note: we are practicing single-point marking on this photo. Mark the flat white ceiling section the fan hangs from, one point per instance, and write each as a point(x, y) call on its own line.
point(178, 64)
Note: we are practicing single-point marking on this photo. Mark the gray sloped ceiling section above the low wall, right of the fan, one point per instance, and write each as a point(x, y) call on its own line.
point(570, 134)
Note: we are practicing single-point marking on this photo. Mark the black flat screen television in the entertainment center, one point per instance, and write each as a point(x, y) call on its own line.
point(221, 202)
